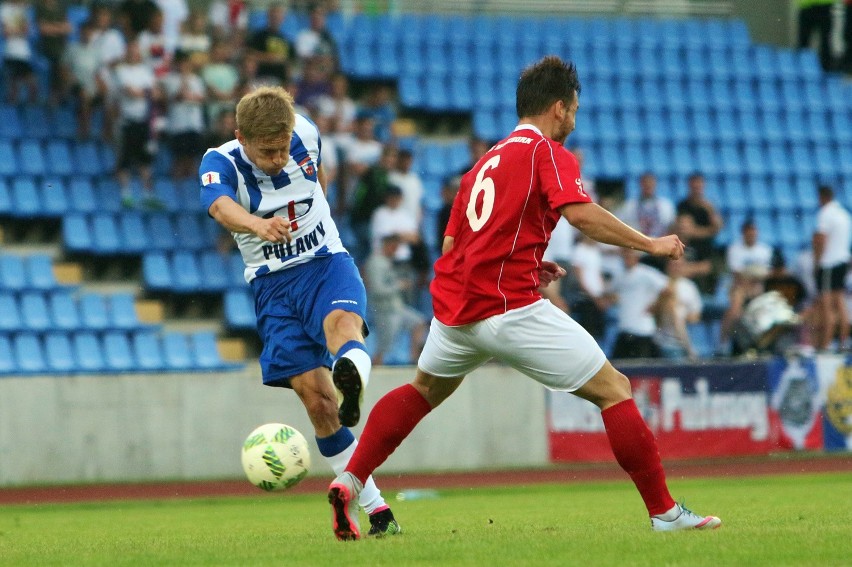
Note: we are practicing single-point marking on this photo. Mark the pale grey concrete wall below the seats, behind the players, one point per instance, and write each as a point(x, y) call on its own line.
point(87, 429)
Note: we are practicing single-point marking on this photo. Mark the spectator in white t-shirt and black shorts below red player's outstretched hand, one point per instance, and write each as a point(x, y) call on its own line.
point(637, 293)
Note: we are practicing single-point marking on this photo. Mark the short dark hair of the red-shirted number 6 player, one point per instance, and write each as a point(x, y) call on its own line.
point(545, 82)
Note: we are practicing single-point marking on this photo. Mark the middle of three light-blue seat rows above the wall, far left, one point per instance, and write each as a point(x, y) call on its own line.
point(66, 310)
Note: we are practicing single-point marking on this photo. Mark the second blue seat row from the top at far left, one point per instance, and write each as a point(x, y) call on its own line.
point(55, 157)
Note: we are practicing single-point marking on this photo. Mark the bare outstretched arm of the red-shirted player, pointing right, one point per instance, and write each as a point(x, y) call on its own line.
point(599, 224)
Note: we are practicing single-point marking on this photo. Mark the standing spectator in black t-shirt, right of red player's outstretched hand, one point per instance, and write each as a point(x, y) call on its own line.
point(697, 224)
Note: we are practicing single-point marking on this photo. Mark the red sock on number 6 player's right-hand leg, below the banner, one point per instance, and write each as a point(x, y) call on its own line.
point(636, 451)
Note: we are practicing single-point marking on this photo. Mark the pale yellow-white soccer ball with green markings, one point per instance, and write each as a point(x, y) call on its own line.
point(275, 457)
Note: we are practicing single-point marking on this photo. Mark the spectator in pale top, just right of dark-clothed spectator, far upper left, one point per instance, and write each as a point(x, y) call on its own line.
point(81, 63)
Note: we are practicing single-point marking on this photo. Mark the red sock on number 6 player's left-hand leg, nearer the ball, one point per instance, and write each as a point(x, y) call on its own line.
point(390, 421)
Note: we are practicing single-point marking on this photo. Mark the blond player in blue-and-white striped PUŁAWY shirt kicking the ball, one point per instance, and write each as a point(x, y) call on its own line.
point(268, 188)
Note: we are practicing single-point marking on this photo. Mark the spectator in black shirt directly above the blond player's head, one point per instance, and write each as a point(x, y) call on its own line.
point(272, 51)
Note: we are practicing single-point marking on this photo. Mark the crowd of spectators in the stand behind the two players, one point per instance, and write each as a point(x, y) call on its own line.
point(150, 76)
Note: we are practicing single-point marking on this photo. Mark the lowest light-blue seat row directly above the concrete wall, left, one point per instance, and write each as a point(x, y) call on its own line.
point(111, 351)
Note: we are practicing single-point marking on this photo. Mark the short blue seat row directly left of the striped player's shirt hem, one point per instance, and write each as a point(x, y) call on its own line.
point(186, 271)
